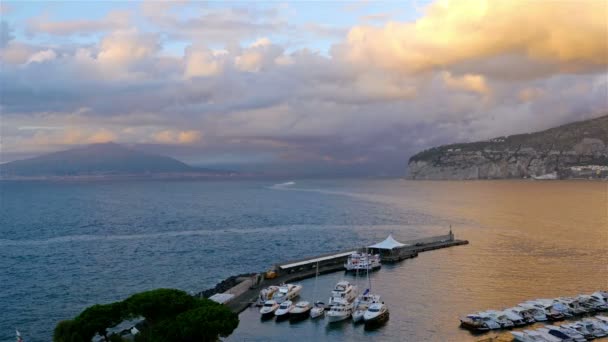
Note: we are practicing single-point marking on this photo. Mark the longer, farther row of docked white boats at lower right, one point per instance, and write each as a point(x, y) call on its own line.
point(539, 310)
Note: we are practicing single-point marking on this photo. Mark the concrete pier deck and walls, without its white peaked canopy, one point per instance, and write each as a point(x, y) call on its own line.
point(246, 292)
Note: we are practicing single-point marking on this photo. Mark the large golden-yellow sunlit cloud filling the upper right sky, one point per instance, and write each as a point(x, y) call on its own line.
point(458, 31)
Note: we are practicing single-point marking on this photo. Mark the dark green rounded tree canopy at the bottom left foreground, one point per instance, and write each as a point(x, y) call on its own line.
point(170, 316)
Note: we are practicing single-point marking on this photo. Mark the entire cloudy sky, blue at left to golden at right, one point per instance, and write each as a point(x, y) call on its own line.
point(295, 88)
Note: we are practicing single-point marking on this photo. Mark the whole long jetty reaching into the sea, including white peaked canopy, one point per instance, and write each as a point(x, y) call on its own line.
point(239, 297)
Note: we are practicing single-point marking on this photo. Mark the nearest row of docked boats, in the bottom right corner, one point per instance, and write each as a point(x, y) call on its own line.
point(579, 331)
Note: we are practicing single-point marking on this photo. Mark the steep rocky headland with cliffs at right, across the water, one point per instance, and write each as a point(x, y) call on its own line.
point(576, 150)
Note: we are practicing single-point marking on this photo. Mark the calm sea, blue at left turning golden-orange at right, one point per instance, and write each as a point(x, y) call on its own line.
point(67, 245)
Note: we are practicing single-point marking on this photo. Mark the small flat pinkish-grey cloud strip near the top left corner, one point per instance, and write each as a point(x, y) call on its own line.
point(114, 20)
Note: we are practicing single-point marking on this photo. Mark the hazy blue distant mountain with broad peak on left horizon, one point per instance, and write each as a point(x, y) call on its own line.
point(107, 159)
